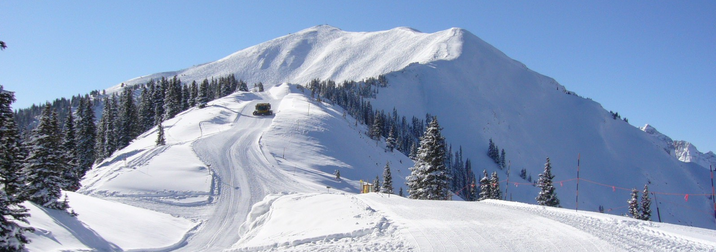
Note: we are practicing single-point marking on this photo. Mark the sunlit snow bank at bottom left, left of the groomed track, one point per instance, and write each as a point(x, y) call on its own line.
point(104, 226)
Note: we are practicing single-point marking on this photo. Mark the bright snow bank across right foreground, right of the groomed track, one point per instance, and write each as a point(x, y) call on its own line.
point(379, 222)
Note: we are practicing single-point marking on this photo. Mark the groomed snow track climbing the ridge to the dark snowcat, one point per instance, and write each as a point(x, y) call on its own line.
point(246, 176)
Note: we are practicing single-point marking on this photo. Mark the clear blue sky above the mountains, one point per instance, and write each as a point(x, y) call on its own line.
point(652, 61)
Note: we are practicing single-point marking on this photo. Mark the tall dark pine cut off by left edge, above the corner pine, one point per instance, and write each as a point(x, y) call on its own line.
point(11, 156)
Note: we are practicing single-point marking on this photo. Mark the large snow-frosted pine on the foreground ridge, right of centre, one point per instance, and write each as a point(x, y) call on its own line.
point(429, 178)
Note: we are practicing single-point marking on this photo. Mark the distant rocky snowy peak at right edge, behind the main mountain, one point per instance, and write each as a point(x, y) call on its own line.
point(681, 150)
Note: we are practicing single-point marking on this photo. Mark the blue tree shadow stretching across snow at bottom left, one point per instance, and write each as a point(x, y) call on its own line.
point(79, 230)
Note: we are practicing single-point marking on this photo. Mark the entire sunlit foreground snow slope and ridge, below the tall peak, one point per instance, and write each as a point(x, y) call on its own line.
point(228, 180)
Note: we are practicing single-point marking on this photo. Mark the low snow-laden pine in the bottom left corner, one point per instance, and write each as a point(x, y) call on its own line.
point(12, 237)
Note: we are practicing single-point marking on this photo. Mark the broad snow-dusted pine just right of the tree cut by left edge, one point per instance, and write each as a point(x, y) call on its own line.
point(44, 165)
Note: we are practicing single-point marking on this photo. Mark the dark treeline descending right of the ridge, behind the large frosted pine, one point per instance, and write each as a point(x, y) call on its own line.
point(398, 131)
